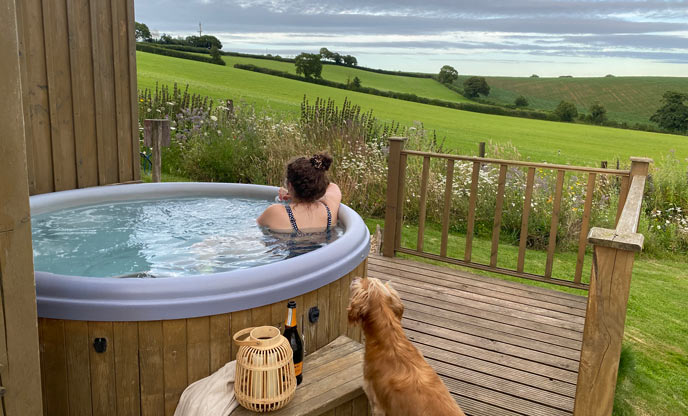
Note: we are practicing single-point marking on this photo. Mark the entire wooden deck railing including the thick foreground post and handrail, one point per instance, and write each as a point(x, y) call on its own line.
point(613, 253)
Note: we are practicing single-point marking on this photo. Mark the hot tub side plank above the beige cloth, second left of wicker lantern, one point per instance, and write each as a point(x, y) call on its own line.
point(198, 348)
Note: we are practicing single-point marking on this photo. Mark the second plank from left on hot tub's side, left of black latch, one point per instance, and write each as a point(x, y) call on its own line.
point(77, 347)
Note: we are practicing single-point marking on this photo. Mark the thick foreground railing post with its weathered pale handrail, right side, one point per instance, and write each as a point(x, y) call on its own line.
point(610, 282)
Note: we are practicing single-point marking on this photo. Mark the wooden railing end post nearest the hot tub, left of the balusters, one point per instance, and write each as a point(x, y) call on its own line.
point(396, 144)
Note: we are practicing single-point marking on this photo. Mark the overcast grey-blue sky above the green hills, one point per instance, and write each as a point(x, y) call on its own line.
point(485, 37)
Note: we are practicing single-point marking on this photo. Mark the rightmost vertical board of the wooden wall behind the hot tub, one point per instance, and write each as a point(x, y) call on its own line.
point(120, 48)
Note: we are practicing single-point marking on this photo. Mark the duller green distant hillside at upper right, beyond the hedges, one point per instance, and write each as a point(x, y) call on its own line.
point(629, 99)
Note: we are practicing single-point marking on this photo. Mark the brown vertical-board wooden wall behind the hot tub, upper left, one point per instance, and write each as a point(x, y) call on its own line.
point(79, 88)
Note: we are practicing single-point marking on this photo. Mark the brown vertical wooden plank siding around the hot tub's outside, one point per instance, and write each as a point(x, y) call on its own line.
point(147, 365)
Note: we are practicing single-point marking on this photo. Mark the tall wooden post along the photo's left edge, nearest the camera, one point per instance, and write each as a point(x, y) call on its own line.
point(19, 356)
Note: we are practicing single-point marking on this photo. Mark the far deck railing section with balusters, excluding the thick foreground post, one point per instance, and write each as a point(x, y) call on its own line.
point(396, 194)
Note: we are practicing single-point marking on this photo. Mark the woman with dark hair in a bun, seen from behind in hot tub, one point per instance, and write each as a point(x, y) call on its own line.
point(312, 202)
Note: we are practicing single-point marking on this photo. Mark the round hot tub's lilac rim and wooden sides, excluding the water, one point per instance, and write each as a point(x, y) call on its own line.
point(131, 346)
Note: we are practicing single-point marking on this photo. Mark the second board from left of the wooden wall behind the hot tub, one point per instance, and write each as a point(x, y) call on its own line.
point(60, 94)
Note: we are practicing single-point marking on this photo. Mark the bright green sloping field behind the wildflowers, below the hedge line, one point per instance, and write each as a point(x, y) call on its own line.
point(538, 140)
